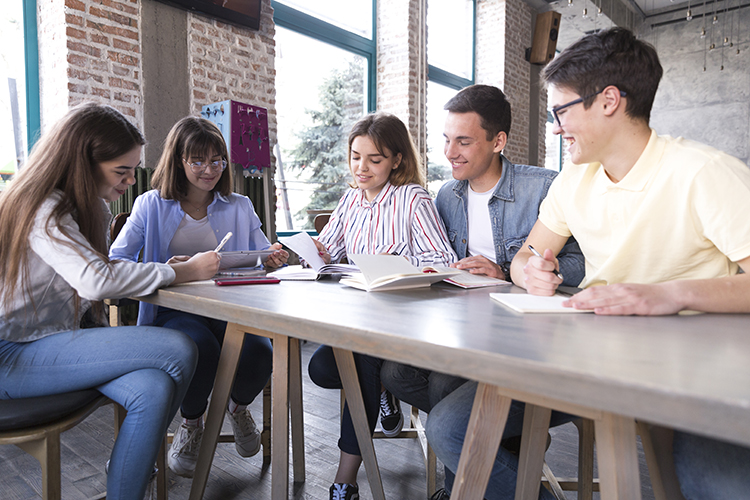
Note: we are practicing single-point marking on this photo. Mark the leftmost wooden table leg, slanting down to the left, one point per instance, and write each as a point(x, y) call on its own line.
point(234, 338)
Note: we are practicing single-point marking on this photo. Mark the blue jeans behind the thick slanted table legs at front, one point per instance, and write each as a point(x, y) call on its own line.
point(446, 428)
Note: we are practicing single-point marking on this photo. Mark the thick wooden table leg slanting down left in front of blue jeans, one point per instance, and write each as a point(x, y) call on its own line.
point(488, 416)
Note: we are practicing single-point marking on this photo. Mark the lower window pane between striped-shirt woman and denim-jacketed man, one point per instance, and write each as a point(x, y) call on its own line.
point(438, 166)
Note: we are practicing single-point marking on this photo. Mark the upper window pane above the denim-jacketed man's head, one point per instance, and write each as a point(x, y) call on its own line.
point(450, 36)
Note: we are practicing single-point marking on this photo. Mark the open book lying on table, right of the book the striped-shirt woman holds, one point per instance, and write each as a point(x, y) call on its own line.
point(392, 272)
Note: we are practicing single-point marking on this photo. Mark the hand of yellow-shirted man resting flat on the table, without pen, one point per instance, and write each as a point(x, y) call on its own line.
point(628, 299)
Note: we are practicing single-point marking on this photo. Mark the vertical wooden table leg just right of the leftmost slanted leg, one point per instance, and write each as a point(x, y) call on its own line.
point(280, 419)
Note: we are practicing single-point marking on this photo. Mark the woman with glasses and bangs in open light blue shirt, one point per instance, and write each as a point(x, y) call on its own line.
point(190, 210)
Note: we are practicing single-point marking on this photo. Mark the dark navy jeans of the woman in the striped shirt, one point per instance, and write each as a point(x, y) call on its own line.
point(324, 372)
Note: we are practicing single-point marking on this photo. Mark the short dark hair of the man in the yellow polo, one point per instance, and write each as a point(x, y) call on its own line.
point(610, 57)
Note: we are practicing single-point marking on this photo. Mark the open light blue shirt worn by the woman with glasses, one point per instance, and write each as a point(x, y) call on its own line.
point(154, 221)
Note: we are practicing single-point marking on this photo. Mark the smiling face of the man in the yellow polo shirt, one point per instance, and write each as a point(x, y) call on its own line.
point(578, 126)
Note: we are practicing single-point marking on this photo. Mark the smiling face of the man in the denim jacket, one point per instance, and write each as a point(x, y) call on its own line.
point(473, 157)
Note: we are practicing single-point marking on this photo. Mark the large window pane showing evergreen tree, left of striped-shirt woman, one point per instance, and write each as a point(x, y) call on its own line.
point(320, 93)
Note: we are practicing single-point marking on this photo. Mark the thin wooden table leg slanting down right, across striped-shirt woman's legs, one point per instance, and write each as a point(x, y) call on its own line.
point(350, 381)
